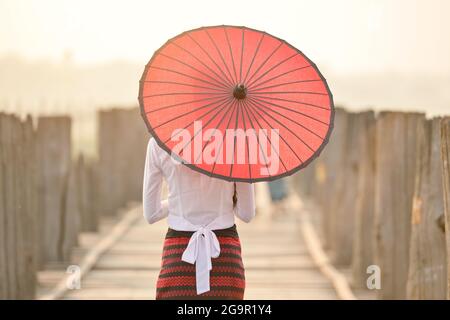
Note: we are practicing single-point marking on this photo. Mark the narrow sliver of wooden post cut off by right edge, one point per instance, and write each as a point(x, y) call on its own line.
point(445, 156)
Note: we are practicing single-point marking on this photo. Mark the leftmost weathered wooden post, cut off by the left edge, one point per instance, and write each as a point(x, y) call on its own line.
point(17, 196)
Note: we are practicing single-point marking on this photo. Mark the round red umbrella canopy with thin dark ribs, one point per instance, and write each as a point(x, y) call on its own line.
point(236, 103)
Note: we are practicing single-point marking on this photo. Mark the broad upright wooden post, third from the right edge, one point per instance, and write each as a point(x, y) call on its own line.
point(396, 154)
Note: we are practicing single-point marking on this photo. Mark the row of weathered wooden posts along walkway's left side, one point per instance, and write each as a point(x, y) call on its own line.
point(48, 195)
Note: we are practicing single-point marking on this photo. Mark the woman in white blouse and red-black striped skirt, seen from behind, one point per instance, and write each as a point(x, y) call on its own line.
point(202, 252)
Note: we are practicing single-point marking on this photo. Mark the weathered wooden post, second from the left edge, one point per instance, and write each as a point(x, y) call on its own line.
point(54, 155)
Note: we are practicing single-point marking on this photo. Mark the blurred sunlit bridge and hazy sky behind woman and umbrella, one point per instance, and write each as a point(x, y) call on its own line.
point(376, 194)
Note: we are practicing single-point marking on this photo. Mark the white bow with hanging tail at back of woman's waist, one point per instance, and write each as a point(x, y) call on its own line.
point(202, 246)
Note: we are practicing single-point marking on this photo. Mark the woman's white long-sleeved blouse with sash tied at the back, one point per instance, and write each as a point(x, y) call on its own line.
point(196, 202)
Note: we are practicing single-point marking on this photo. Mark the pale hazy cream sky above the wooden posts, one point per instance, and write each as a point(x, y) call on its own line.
point(59, 57)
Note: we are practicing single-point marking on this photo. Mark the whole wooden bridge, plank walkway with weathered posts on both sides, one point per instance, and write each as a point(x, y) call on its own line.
point(374, 206)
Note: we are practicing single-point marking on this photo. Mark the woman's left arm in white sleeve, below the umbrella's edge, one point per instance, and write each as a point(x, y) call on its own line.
point(154, 208)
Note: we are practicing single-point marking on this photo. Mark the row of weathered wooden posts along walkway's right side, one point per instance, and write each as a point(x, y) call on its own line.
point(383, 189)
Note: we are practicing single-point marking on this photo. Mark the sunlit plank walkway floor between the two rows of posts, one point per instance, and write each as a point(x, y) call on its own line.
point(277, 260)
